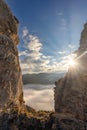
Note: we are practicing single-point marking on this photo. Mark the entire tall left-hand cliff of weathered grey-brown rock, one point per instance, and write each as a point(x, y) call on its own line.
point(11, 93)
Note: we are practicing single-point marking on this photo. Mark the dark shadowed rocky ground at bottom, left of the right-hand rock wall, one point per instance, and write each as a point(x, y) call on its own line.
point(23, 122)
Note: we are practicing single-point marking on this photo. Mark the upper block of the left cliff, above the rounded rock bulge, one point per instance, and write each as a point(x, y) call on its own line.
point(8, 22)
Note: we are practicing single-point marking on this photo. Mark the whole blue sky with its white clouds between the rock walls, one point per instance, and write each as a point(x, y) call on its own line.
point(49, 32)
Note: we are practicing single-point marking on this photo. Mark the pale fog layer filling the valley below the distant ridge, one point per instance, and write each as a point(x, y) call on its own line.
point(40, 99)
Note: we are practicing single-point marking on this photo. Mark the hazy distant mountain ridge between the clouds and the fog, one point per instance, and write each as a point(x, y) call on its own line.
point(42, 78)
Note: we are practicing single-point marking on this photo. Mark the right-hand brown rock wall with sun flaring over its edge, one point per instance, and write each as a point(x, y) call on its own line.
point(71, 92)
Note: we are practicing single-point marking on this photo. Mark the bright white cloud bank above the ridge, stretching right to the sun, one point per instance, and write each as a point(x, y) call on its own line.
point(32, 59)
